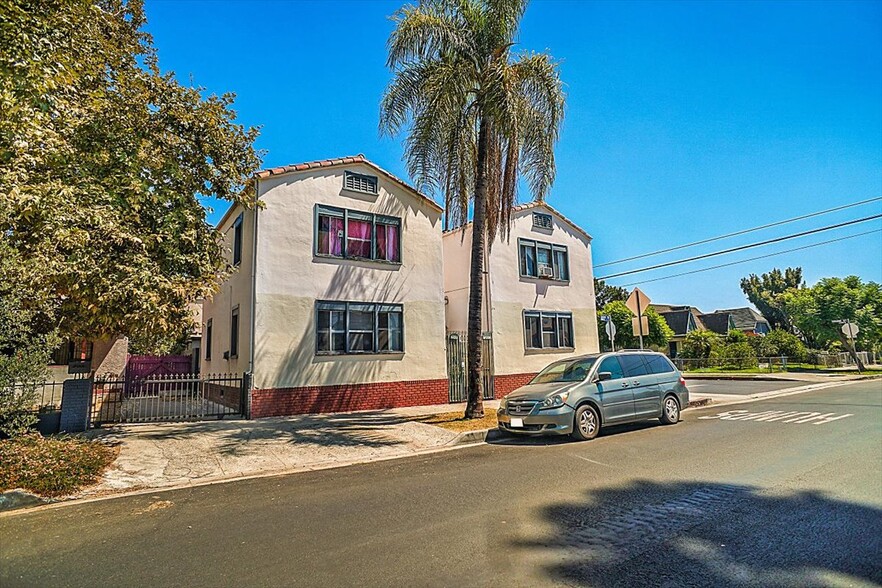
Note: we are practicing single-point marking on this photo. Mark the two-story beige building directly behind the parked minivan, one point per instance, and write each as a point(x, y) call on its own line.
point(538, 293)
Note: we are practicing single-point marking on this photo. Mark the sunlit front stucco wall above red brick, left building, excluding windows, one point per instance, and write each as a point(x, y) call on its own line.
point(290, 279)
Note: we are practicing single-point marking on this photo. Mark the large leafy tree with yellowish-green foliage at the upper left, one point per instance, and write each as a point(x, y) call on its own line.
point(103, 160)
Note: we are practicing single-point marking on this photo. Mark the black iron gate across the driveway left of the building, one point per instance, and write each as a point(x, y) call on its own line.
point(169, 397)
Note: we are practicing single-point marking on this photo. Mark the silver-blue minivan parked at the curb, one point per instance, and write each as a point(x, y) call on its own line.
point(579, 395)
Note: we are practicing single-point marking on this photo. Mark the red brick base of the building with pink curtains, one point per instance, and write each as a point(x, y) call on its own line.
point(347, 397)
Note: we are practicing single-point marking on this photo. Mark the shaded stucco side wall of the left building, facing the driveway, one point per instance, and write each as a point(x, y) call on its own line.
point(234, 291)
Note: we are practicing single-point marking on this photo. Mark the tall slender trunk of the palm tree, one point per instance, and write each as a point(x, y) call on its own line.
point(475, 405)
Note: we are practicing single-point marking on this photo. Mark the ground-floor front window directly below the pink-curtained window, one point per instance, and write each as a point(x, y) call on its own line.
point(357, 327)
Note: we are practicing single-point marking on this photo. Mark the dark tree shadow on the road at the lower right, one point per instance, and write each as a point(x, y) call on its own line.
point(708, 534)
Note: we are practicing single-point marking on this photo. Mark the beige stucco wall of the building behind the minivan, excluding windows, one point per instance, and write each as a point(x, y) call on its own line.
point(510, 294)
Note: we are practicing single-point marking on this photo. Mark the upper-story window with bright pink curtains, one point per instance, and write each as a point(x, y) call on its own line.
point(357, 235)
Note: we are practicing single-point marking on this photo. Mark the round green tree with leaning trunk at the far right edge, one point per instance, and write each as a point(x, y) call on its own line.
point(815, 309)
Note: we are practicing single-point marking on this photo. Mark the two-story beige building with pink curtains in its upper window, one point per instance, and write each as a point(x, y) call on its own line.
point(338, 300)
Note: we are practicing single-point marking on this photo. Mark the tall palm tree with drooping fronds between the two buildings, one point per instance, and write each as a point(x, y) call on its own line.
point(480, 117)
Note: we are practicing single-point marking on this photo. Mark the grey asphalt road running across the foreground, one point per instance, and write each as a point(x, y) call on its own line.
point(782, 492)
